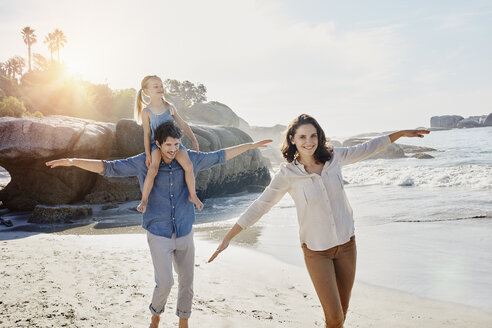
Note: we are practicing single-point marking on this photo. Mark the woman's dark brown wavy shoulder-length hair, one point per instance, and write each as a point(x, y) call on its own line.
point(322, 154)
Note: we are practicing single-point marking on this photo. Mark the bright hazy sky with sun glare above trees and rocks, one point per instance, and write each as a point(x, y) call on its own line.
point(356, 66)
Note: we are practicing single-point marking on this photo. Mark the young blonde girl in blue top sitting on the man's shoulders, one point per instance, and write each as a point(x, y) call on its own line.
point(156, 112)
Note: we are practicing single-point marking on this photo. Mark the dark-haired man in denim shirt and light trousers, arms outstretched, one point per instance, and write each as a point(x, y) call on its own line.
point(169, 216)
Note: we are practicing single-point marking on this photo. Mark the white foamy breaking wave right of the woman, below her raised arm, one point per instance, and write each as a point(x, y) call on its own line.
point(468, 176)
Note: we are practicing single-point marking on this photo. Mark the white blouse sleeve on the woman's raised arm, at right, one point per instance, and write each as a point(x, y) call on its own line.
point(349, 155)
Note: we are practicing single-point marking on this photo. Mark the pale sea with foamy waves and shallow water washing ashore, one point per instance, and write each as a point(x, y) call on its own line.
point(423, 226)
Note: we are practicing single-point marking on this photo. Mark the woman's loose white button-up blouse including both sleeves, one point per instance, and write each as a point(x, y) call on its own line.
point(323, 211)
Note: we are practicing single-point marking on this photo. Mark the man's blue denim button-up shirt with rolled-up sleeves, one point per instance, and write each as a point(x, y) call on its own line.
point(168, 210)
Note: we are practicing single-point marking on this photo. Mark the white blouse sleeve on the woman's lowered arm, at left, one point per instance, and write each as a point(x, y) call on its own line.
point(270, 196)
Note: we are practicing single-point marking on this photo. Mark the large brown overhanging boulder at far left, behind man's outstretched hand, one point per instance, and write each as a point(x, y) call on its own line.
point(25, 145)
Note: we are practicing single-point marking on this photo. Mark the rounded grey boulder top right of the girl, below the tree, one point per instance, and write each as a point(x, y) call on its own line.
point(213, 113)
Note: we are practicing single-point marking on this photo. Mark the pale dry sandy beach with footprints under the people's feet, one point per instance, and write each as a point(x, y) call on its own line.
point(54, 280)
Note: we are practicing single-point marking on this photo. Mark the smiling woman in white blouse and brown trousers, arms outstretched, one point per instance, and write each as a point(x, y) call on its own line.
point(312, 176)
